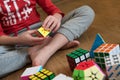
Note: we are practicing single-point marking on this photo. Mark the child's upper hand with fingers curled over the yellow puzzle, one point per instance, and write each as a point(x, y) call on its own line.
point(52, 22)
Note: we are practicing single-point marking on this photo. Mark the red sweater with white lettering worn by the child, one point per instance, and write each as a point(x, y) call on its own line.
point(18, 14)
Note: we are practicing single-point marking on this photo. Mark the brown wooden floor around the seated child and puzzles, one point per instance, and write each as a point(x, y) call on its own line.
point(107, 23)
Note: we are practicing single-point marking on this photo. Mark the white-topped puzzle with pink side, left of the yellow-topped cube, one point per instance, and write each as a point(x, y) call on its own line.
point(30, 71)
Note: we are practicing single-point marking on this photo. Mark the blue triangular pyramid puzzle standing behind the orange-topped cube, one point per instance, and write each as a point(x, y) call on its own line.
point(97, 42)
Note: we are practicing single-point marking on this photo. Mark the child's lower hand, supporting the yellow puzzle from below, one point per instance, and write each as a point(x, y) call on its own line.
point(27, 38)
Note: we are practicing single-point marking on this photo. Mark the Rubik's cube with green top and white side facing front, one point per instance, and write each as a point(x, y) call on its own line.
point(77, 56)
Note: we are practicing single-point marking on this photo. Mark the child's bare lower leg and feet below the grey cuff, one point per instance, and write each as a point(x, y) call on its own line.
point(40, 54)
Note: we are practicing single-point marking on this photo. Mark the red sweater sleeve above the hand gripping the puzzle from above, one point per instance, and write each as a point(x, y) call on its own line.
point(49, 7)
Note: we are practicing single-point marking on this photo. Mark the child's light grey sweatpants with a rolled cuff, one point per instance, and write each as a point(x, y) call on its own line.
point(73, 25)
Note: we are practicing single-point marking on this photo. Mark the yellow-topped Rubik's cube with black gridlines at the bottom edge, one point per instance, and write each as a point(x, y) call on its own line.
point(42, 75)
